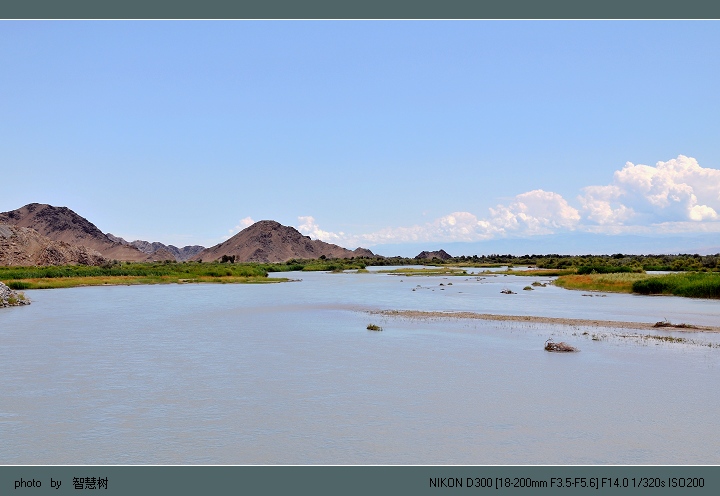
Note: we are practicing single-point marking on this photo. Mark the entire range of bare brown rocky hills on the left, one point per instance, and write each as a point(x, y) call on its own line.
point(40, 234)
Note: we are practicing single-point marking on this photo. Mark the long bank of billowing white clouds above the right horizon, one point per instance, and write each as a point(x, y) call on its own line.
point(670, 197)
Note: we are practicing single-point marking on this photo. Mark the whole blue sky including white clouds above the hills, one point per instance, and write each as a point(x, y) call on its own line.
point(365, 133)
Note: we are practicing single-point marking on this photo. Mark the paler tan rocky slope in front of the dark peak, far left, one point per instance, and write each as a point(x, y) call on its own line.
point(25, 246)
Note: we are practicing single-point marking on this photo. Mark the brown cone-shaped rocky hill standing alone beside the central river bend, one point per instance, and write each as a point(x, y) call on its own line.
point(269, 241)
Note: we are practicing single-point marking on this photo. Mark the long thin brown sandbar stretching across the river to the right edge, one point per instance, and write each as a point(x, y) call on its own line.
point(614, 324)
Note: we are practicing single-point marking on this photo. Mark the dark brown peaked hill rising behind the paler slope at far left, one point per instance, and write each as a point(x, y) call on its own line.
point(62, 224)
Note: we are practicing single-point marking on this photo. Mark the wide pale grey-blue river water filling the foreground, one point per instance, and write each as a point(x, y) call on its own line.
point(287, 374)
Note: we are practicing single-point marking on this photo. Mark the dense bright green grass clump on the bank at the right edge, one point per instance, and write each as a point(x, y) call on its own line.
point(690, 284)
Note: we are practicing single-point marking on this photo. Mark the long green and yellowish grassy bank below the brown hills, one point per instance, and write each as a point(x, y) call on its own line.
point(68, 276)
